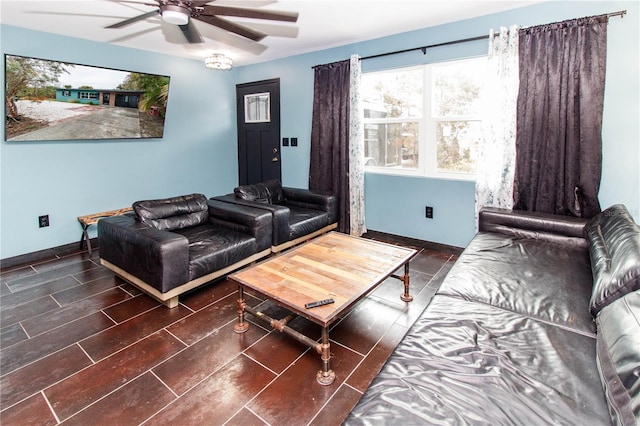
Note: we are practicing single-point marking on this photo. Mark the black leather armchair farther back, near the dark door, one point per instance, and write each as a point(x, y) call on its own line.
point(298, 214)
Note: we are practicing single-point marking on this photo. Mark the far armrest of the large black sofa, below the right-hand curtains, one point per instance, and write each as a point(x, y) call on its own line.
point(542, 226)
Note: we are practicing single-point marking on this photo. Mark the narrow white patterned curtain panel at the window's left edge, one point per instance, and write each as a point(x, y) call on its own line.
point(356, 151)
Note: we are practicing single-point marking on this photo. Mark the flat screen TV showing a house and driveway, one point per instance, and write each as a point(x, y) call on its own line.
point(49, 100)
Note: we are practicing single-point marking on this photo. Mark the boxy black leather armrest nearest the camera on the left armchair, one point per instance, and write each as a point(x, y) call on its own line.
point(159, 258)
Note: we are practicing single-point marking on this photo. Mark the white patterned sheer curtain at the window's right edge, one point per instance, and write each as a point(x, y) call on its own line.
point(496, 159)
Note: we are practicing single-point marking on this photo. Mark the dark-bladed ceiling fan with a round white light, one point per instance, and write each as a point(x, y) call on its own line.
point(181, 13)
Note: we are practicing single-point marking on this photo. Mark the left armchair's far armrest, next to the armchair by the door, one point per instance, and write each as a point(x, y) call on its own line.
point(243, 218)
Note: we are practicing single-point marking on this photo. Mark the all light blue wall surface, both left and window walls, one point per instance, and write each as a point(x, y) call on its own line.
point(199, 154)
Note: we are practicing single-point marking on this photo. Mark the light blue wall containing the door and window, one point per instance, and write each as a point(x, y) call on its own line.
point(396, 204)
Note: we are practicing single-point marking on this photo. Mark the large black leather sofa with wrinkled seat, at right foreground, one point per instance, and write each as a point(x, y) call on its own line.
point(538, 322)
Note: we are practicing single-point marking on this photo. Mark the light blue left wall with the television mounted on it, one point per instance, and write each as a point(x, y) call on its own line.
point(68, 179)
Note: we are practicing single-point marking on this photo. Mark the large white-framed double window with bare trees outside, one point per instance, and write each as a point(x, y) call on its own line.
point(424, 121)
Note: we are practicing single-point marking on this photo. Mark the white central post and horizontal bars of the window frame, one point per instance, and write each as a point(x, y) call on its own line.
point(427, 143)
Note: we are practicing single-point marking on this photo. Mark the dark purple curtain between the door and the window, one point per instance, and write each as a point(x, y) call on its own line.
point(329, 167)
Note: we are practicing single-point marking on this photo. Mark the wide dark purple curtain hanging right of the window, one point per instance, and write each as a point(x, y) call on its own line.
point(558, 139)
